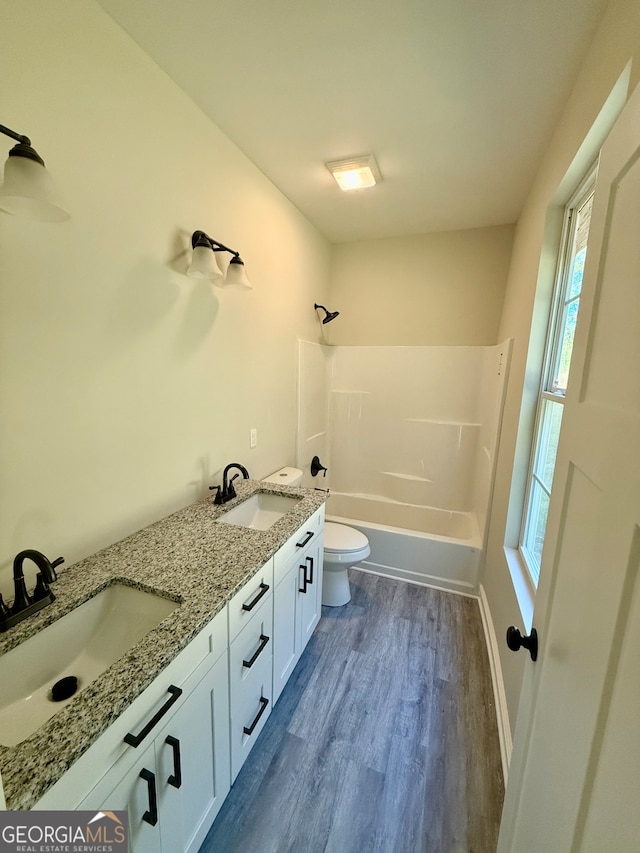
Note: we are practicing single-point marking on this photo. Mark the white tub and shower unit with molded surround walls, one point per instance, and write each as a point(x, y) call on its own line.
point(409, 437)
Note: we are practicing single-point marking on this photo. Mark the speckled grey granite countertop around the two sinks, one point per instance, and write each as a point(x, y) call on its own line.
point(187, 557)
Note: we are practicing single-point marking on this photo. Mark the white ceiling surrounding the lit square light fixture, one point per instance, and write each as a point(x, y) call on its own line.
point(455, 98)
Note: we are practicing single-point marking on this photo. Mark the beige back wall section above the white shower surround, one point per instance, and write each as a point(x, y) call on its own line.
point(431, 289)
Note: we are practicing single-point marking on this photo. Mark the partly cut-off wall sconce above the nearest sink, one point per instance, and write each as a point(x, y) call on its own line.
point(28, 188)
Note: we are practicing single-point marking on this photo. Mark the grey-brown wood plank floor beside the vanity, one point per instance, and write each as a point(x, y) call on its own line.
point(385, 738)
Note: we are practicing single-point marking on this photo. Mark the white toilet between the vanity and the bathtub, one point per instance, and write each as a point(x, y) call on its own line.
point(343, 547)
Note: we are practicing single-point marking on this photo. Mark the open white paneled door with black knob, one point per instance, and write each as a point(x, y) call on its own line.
point(575, 775)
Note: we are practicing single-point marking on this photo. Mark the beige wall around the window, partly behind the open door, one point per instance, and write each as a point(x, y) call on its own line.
point(565, 159)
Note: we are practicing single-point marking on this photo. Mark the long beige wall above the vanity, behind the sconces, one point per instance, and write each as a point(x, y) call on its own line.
point(124, 386)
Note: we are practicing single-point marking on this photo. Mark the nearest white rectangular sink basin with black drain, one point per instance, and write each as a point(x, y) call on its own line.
point(83, 643)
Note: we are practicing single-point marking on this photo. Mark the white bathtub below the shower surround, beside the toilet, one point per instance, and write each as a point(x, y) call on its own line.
point(420, 544)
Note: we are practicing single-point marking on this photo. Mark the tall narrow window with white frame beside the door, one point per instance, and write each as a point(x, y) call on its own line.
point(555, 373)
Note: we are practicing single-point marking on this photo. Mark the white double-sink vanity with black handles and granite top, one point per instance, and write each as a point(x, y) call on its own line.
point(164, 730)
